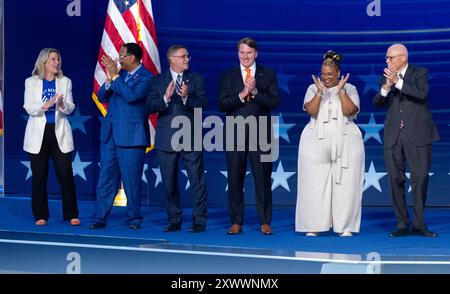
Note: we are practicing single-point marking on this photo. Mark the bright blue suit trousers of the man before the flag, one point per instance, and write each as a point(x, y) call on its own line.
point(120, 163)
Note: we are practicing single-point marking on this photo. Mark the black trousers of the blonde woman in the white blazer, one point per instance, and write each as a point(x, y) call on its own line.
point(63, 168)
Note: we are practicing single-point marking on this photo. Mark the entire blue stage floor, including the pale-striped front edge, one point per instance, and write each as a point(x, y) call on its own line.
point(61, 248)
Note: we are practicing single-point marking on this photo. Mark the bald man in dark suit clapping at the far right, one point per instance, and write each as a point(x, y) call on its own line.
point(409, 131)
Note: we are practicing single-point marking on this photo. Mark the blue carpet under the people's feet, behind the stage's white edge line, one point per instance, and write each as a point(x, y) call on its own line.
point(15, 216)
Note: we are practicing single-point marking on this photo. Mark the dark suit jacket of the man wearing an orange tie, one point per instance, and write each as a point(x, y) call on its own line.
point(267, 97)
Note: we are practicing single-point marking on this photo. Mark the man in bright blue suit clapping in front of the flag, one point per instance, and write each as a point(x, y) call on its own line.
point(124, 134)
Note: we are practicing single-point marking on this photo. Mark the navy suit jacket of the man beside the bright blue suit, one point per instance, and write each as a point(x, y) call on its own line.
point(155, 104)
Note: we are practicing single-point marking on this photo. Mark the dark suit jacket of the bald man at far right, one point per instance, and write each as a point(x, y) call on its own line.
point(410, 105)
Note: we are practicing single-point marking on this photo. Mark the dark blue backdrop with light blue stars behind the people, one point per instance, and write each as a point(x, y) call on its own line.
point(292, 37)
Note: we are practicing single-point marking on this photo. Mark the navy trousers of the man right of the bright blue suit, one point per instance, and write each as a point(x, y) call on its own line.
point(193, 162)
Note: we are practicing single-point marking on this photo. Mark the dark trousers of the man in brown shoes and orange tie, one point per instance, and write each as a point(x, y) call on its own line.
point(262, 171)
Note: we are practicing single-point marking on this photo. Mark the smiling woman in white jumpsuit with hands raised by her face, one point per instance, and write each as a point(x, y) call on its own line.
point(331, 156)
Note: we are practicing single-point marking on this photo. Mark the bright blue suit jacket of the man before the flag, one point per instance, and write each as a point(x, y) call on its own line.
point(127, 119)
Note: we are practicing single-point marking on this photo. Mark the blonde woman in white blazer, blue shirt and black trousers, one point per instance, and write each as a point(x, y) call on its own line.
point(48, 99)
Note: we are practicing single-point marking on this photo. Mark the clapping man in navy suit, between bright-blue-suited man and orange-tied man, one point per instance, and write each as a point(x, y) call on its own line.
point(174, 95)
